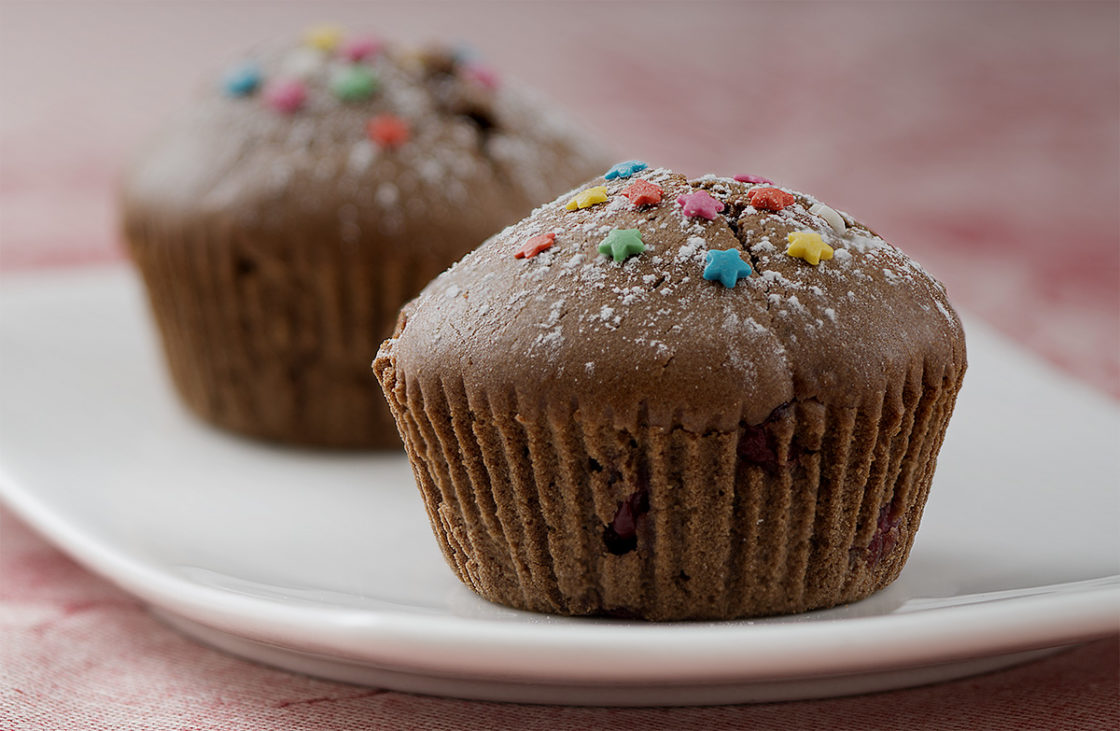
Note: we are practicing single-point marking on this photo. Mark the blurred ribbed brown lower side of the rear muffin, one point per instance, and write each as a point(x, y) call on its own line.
point(273, 338)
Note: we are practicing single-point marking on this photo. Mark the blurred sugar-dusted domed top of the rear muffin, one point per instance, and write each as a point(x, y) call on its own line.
point(370, 137)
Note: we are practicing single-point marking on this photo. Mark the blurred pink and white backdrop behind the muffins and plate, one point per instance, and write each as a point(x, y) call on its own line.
point(982, 137)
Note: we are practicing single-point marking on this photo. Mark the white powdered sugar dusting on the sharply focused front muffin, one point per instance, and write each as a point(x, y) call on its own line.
point(656, 311)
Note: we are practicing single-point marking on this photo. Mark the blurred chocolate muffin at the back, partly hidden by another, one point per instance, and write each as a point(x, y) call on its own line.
point(283, 220)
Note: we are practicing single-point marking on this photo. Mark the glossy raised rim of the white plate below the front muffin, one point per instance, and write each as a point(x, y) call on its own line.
point(669, 653)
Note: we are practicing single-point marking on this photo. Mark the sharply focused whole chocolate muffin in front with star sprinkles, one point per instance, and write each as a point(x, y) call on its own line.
point(677, 399)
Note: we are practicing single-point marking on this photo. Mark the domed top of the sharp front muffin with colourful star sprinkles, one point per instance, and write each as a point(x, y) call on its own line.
point(703, 303)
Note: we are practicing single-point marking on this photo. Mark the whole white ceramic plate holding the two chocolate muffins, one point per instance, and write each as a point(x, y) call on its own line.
point(325, 564)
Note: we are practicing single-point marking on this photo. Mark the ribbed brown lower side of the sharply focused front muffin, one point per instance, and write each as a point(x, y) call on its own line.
point(531, 501)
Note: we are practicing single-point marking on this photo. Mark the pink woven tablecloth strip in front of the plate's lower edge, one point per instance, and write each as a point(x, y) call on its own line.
point(78, 653)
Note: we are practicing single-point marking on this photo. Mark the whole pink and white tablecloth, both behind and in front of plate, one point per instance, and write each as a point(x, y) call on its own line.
point(982, 137)
